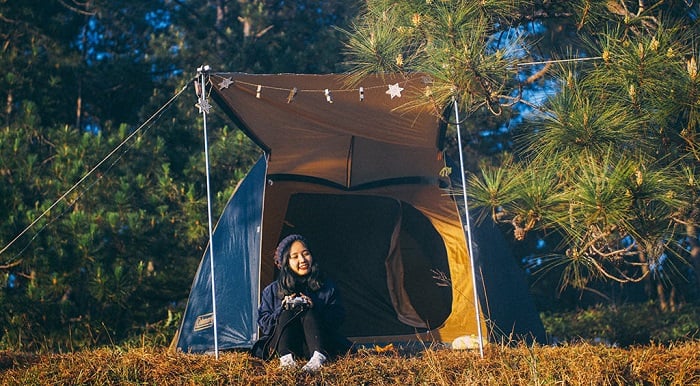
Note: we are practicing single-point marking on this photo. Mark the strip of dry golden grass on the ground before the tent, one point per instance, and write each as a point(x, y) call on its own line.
point(580, 364)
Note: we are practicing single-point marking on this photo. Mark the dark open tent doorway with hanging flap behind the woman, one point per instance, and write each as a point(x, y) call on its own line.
point(382, 253)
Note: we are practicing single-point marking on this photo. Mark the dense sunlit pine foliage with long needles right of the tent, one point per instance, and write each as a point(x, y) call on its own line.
point(614, 136)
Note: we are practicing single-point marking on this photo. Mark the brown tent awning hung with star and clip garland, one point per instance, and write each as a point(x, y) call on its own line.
point(349, 136)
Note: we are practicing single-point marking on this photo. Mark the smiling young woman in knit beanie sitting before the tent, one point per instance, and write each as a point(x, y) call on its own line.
point(300, 312)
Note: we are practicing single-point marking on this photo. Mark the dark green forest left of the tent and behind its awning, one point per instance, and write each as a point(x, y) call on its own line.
point(107, 219)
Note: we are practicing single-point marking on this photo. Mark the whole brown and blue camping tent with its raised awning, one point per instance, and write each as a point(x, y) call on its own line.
point(359, 175)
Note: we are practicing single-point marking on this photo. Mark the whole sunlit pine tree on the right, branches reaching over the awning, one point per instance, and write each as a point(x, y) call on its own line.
point(607, 165)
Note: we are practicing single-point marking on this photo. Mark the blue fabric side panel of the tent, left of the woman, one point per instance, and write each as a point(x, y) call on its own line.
point(236, 240)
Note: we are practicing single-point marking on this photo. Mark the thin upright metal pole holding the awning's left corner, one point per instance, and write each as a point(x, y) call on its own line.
point(204, 108)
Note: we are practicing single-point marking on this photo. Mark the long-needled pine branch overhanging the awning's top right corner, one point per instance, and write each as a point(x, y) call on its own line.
point(454, 42)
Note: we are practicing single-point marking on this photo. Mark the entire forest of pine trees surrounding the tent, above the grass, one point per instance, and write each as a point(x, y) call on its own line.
point(580, 139)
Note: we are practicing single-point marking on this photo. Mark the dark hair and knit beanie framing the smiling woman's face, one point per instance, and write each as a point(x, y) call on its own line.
point(287, 279)
